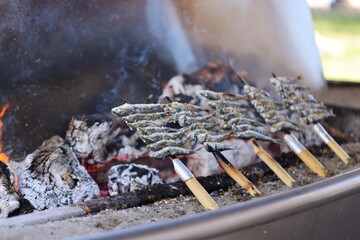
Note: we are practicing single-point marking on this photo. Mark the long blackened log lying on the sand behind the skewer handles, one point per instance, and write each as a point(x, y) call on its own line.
point(254, 173)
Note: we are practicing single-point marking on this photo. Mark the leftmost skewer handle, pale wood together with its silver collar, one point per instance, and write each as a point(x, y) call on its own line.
point(195, 187)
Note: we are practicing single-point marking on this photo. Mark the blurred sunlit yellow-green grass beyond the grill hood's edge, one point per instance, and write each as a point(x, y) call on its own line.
point(344, 27)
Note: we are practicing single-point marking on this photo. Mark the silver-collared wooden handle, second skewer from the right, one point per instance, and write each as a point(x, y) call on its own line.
point(305, 155)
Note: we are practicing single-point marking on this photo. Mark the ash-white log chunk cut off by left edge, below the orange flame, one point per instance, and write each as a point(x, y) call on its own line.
point(9, 198)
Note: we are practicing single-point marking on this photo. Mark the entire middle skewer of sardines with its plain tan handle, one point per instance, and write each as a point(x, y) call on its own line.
point(235, 115)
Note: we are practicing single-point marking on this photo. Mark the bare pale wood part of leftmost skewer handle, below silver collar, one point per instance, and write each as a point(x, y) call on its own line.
point(201, 194)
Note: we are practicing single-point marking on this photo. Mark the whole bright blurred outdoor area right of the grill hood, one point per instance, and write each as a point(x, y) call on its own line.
point(337, 25)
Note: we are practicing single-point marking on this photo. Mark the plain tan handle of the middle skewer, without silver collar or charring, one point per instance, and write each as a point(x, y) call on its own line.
point(272, 164)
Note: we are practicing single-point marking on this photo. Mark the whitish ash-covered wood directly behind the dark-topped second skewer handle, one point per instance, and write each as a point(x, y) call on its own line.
point(203, 163)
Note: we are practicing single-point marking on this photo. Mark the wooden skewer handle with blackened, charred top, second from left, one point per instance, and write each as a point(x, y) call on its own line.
point(235, 174)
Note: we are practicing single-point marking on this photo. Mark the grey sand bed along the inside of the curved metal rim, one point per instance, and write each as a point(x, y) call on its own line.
point(187, 205)
